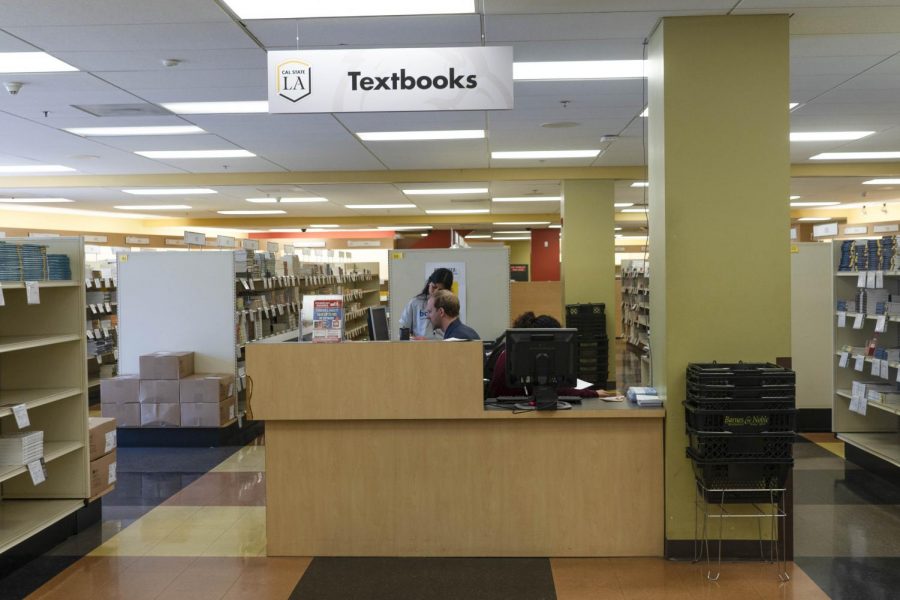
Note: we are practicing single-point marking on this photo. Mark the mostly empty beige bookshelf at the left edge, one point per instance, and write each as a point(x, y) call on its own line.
point(43, 366)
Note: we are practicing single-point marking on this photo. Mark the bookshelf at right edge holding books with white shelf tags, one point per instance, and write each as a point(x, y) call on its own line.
point(877, 432)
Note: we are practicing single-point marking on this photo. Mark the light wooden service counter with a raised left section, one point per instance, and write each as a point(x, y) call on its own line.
point(385, 449)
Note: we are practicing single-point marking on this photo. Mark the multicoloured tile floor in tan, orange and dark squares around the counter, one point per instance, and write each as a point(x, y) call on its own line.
point(190, 523)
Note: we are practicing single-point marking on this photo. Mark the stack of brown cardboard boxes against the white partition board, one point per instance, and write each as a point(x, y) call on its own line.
point(168, 393)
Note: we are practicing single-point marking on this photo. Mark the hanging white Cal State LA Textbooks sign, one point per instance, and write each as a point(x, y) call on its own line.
point(394, 79)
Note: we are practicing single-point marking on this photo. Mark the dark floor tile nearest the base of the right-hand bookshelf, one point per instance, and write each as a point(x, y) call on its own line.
point(846, 486)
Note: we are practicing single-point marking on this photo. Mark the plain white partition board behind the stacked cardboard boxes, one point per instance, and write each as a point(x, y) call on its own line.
point(172, 301)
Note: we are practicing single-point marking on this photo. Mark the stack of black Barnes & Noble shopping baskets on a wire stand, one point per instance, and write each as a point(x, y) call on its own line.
point(741, 421)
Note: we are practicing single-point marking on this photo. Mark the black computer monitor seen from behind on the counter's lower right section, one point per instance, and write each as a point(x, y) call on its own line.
point(542, 360)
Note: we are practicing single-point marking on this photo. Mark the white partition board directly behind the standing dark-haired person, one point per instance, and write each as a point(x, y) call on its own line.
point(487, 285)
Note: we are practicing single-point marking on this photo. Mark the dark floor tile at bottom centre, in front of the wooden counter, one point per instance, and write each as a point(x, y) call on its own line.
point(432, 578)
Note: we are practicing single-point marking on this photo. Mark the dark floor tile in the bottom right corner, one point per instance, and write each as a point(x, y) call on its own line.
point(855, 578)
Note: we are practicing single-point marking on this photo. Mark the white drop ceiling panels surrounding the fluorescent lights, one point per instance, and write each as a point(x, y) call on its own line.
point(845, 73)
